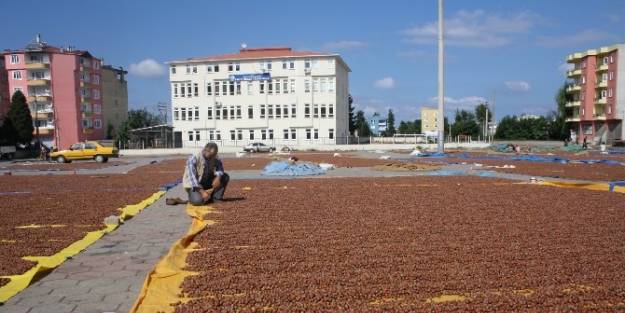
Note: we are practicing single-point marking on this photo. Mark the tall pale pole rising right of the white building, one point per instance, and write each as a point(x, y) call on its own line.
point(441, 79)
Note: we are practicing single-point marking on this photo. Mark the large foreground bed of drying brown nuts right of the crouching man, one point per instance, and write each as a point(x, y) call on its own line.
point(409, 244)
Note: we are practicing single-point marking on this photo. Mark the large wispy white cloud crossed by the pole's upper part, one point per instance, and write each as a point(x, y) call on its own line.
point(475, 29)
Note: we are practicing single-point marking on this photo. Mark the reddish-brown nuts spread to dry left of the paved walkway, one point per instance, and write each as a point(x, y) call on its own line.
point(40, 215)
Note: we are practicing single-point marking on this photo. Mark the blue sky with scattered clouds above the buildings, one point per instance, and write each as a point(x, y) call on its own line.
point(512, 51)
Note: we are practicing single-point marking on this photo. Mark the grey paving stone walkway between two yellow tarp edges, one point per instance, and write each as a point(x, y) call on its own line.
point(108, 275)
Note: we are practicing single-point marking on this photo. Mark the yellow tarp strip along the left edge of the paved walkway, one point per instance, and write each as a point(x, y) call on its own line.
point(46, 263)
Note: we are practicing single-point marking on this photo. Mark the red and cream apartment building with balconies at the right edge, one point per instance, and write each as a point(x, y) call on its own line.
point(597, 108)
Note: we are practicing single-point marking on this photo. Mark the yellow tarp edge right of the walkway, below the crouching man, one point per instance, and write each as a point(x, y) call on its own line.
point(162, 287)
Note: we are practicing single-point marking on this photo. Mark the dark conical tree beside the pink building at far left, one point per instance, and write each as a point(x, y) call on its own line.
point(18, 124)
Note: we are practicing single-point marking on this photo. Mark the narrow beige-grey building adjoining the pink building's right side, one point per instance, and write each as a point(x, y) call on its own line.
point(114, 99)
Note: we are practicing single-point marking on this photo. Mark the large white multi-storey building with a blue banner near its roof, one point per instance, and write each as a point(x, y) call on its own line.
point(273, 95)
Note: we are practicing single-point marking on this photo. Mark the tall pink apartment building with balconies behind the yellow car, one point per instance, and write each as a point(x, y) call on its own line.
point(63, 90)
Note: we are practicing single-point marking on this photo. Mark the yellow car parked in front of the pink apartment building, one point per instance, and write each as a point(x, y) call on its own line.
point(88, 150)
